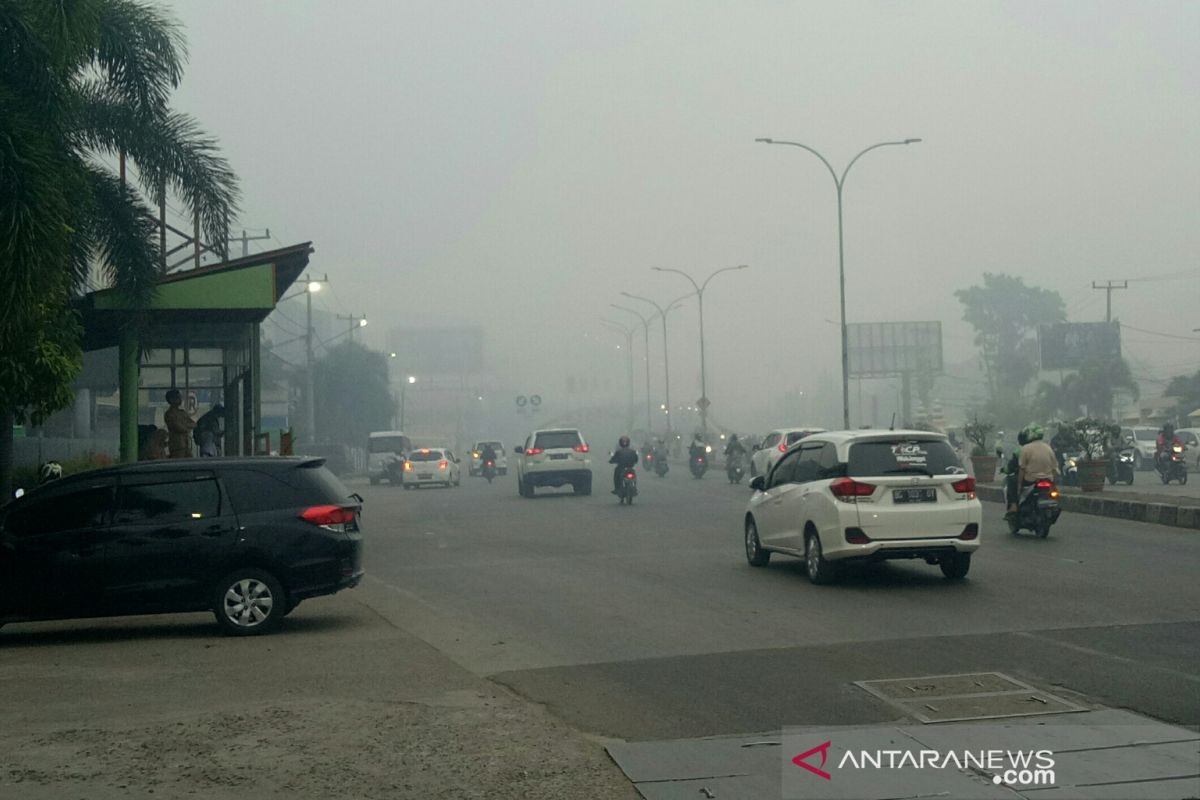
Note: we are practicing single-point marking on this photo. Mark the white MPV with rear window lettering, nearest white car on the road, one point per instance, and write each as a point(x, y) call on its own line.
point(866, 496)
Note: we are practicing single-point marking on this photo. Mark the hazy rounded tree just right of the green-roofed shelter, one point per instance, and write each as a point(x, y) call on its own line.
point(352, 395)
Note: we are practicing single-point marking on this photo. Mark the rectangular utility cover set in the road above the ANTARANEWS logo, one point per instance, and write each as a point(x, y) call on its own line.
point(973, 696)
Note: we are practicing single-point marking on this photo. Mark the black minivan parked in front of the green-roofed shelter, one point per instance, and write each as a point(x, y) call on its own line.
point(245, 538)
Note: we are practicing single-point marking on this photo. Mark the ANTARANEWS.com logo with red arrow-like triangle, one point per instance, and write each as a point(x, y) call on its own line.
point(1015, 768)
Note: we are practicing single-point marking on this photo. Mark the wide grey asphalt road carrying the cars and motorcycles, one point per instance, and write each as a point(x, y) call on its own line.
point(646, 622)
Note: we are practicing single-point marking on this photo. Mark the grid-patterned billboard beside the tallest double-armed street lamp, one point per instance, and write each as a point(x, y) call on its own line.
point(887, 350)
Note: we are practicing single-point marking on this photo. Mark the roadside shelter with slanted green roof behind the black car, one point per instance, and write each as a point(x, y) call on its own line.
point(200, 335)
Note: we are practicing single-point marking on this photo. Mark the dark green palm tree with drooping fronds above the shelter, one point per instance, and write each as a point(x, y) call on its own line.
point(82, 83)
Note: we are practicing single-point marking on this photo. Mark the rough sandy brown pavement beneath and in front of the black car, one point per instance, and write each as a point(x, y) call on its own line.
point(340, 703)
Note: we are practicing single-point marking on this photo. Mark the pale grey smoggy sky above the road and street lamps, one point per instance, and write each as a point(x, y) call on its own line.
point(521, 164)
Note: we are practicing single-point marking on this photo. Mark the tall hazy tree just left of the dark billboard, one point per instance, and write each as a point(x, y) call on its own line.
point(1005, 315)
